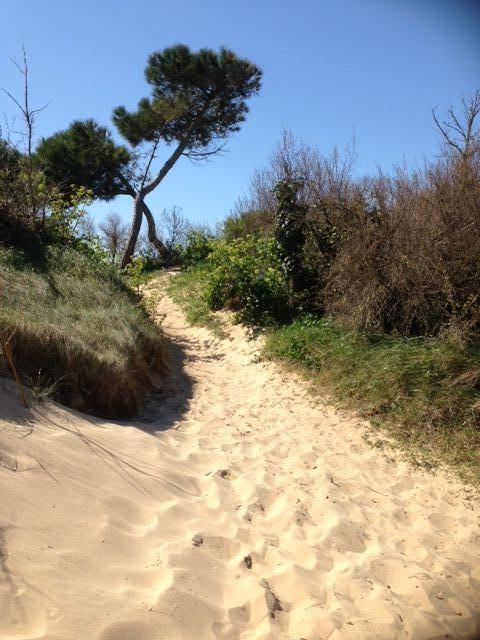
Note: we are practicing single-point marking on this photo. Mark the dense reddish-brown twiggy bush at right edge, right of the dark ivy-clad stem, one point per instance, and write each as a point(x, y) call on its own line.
point(413, 266)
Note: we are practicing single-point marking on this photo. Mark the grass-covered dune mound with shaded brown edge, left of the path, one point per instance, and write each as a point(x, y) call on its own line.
point(75, 330)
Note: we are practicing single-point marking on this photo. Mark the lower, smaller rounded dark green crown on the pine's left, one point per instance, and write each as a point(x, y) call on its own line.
point(85, 155)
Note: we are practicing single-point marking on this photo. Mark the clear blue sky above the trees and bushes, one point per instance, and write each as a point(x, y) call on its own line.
point(331, 67)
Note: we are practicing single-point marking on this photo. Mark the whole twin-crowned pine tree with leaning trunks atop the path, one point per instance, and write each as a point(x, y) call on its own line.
point(197, 100)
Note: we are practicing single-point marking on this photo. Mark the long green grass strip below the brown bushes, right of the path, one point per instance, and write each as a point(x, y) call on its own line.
point(424, 391)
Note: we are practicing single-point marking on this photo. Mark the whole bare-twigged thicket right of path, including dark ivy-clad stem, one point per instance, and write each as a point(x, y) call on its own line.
point(397, 253)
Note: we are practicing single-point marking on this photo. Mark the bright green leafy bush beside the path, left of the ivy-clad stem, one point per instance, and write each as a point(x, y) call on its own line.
point(248, 277)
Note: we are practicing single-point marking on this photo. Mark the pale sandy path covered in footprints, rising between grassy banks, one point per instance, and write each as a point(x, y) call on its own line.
point(238, 508)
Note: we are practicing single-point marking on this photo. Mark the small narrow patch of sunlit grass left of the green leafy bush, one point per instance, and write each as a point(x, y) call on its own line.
point(188, 289)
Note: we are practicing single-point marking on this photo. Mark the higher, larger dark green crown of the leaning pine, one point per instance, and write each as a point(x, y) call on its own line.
point(196, 96)
